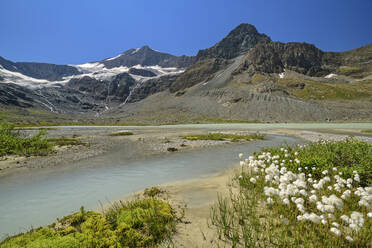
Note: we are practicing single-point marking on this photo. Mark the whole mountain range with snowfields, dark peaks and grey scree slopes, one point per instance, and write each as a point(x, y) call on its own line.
point(245, 76)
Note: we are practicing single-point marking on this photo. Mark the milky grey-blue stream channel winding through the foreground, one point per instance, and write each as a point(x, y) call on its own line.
point(38, 197)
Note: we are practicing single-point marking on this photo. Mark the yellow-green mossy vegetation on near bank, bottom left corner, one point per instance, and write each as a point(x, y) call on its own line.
point(139, 223)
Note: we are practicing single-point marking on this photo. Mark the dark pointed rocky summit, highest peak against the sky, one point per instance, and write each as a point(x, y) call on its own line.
point(238, 41)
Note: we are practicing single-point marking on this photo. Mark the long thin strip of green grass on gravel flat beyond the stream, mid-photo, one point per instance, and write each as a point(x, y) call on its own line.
point(224, 136)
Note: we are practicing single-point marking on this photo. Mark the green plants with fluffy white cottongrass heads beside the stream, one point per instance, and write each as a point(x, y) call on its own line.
point(318, 195)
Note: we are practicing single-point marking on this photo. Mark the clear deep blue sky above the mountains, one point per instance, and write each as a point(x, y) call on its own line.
point(78, 31)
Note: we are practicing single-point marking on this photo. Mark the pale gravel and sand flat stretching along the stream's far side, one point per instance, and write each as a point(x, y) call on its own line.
point(149, 141)
